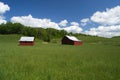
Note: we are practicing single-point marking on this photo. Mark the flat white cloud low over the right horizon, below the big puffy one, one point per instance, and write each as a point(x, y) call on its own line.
point(105, 31)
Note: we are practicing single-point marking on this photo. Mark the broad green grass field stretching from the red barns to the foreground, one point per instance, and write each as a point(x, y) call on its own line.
point(48, 61)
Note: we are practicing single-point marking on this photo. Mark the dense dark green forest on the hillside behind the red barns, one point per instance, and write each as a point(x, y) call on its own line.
point(40, 33)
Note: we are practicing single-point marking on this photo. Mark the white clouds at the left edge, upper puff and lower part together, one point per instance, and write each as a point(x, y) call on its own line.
point(3, 9)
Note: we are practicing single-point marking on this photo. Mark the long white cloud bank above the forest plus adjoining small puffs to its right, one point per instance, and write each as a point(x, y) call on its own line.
point(46, 23)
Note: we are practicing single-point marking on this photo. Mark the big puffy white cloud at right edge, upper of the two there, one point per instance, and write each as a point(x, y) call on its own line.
point(108, 17)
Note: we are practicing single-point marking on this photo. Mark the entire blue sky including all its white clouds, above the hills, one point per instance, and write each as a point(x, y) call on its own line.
point(78, 16)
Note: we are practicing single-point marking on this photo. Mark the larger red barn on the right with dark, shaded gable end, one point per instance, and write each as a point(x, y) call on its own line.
point(71, 40)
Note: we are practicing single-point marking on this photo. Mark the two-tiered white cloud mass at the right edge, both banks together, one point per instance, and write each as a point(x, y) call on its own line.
point(109, 23)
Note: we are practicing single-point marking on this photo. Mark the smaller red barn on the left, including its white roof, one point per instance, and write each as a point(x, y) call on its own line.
point(26, 41)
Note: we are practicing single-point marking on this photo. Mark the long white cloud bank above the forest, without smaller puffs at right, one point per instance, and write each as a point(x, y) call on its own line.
point(35, 22)
